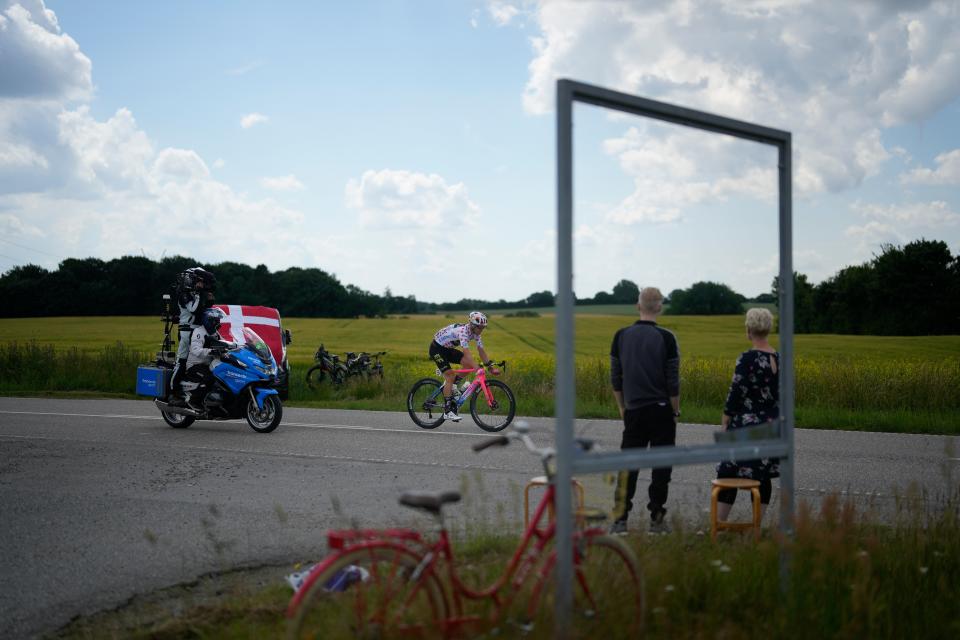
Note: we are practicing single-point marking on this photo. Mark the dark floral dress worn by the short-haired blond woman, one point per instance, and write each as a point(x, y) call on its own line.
point(753, 399)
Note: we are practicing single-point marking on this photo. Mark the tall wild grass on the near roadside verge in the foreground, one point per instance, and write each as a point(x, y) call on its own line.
point(849, 577)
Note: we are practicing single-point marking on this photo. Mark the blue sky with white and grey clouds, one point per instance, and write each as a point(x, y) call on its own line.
point(410, 145)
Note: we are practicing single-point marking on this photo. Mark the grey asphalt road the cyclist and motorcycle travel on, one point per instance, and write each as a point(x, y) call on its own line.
point(101, 500)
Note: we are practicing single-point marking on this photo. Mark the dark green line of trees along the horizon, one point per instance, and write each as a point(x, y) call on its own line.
point(910, 290)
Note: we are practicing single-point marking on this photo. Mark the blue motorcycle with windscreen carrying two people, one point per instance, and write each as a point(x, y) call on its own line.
point(243, 378)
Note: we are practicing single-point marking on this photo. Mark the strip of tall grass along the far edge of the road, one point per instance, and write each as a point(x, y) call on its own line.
point(893, 394)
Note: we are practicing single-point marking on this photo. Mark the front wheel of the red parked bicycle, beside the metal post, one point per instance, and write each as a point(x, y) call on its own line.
point(608, 590)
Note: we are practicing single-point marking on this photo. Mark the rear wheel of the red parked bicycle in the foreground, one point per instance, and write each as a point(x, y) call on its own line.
point(383, 599)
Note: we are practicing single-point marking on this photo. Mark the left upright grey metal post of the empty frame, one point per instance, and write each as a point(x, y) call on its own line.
point(565, 387)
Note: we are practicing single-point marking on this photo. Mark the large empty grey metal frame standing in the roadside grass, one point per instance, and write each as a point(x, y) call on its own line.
point(569, 462)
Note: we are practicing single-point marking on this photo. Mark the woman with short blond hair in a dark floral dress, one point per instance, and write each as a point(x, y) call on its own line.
point(753, 400)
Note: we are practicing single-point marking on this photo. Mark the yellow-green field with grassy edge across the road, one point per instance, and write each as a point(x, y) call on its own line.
point(849, 382)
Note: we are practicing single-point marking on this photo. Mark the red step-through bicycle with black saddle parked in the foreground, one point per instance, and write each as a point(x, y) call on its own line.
point(396, 583)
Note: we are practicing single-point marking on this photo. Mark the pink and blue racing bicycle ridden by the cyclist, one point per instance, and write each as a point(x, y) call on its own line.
point(492, 403)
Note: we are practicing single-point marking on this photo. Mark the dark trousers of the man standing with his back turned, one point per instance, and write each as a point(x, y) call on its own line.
point(652, 426)
